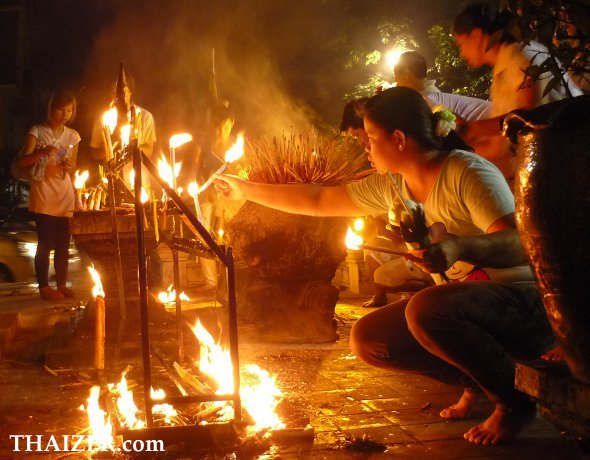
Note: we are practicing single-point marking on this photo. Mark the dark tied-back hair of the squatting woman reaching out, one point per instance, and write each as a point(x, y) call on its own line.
point(405, 109)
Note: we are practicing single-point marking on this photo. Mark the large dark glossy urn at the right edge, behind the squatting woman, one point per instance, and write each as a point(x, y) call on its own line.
point(553, 216)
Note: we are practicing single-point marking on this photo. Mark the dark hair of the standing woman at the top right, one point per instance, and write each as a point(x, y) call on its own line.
point(485, 16)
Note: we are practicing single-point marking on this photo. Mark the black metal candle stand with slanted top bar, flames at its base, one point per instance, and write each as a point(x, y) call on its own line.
point(201, 434)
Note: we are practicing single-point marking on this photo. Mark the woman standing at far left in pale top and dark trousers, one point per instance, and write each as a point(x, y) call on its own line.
point(50, 151)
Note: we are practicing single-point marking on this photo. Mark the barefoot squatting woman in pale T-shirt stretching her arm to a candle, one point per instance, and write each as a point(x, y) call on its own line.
point(478, 327)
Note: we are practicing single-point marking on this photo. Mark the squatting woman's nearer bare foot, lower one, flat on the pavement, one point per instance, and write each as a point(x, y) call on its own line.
point(502, 426)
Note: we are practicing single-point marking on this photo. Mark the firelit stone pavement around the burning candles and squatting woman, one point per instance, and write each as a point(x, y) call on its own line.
point(356, 411)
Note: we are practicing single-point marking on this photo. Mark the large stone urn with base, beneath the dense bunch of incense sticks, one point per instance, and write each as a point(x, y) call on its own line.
point(285, 266)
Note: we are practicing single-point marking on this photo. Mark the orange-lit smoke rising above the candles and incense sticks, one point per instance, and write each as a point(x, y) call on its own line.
point(167, 48)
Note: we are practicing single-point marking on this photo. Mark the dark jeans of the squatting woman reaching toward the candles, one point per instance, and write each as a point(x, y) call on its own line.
point(478, 327)
